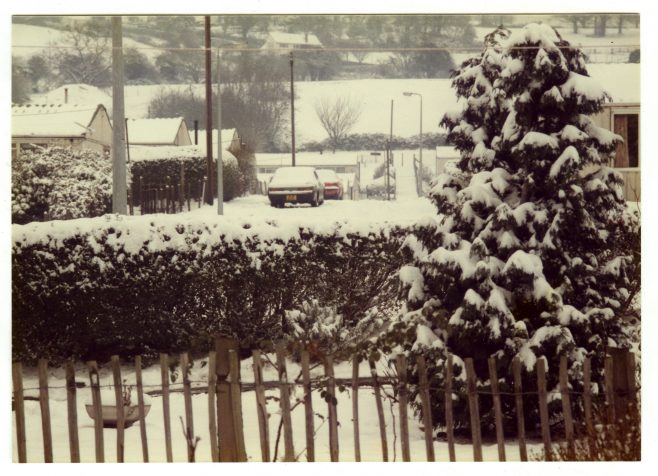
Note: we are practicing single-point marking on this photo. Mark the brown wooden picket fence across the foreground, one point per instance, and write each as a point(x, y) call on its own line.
point(224, 387)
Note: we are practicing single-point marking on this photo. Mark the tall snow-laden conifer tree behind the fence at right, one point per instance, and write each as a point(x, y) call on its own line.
point(524, 256)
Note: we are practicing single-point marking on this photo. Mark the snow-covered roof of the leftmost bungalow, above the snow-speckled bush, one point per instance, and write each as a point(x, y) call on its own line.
point(52, 120)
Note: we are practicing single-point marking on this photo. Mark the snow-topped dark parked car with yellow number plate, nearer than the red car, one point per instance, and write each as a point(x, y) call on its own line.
point(295, 185)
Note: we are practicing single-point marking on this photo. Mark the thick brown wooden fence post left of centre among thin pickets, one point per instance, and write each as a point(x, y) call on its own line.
point(228, 451)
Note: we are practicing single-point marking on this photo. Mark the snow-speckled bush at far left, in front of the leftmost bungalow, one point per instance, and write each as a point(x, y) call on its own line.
point(61, 183)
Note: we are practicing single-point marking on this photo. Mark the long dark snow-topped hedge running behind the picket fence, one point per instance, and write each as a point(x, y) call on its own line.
point(144, 284)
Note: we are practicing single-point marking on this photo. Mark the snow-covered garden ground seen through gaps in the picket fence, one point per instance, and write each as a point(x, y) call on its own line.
point(369, 426)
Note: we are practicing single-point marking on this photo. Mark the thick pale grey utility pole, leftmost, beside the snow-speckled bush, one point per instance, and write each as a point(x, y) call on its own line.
point(119, 188)
